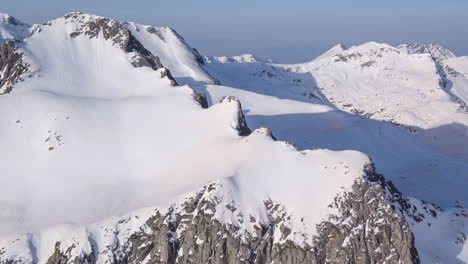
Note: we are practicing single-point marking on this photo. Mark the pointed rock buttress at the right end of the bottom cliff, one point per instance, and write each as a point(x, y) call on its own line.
point(366, 228)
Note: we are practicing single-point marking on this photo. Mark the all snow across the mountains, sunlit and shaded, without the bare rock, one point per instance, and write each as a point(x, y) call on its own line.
point(108, 138)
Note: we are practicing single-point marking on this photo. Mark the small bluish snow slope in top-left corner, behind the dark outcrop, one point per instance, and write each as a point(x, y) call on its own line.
point(11, 28)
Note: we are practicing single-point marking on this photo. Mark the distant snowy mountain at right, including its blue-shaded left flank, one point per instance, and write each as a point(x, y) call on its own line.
point(372, 80)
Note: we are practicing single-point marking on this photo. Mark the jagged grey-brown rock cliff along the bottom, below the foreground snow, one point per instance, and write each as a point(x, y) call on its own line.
point(366, 227)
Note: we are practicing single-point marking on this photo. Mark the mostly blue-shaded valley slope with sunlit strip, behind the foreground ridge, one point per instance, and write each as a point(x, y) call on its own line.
point(417, 169)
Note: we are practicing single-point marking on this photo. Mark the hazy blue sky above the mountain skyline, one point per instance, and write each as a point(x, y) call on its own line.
point(288, 31)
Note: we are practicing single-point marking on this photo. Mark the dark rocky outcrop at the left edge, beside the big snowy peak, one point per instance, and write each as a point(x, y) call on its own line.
point(12, 66)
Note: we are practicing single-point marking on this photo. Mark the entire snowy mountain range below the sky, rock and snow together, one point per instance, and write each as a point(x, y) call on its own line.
point(102, 105)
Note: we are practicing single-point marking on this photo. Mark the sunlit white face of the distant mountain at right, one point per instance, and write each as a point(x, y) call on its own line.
point(382, 83)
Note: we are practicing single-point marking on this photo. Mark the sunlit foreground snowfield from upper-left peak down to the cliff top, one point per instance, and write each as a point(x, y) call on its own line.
point(88, 132)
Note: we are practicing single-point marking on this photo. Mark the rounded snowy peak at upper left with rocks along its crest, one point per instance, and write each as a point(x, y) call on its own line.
point(99, 47)
